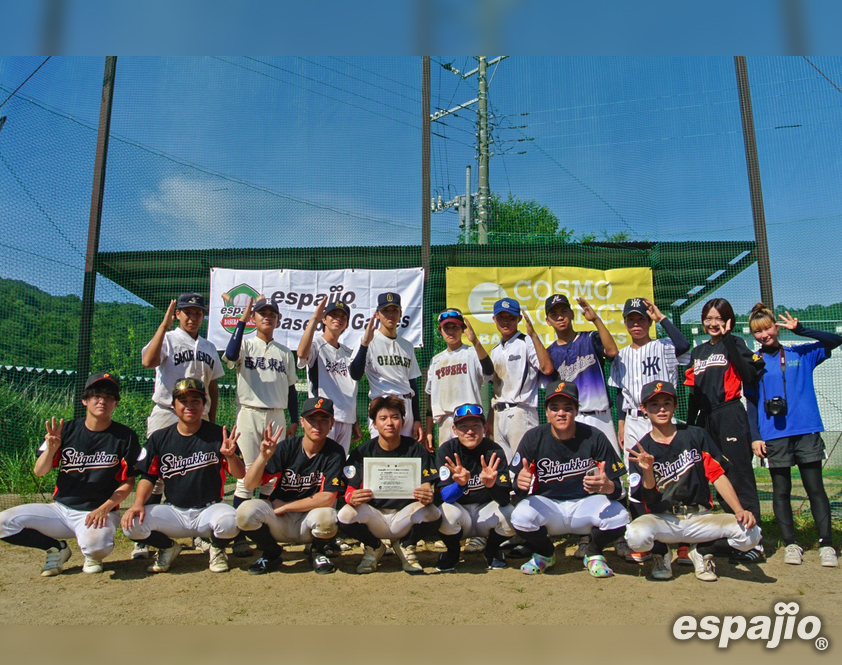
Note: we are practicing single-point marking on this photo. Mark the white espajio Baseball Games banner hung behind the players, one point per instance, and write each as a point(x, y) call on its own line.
point(297, 292)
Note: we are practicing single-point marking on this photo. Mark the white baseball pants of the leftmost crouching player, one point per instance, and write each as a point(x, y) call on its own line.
point(55, 520)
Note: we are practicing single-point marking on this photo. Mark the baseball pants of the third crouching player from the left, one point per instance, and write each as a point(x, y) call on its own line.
point(319, 523)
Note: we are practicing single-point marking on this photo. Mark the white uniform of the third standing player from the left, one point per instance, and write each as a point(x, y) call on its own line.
point(329, 374)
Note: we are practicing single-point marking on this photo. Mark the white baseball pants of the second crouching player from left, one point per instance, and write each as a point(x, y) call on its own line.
point(219, 520)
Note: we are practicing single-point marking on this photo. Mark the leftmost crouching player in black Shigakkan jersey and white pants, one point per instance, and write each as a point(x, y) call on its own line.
point(95, 457)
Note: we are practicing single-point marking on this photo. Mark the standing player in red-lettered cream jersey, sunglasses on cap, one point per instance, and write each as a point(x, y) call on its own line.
point(455, 375)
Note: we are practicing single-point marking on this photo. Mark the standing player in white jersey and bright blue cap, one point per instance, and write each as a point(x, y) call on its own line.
point(520, 361)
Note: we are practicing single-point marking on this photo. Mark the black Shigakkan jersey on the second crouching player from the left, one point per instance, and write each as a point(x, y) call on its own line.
point(192, 468)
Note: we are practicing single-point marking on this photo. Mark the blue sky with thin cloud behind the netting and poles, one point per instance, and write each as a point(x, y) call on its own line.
point(297, 151)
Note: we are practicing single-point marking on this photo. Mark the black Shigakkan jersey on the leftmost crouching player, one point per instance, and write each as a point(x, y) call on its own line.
point(91, 465)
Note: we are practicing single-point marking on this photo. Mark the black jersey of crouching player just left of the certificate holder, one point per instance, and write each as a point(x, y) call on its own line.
point(300, 476)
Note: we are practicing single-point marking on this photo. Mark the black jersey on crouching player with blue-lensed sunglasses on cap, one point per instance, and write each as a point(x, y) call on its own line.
point(475, 491)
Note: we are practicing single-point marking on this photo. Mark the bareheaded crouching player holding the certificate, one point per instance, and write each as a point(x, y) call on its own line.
point(402, 521)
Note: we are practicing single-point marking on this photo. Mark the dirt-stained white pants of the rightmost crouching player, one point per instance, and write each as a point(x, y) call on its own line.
point(701, 527)
